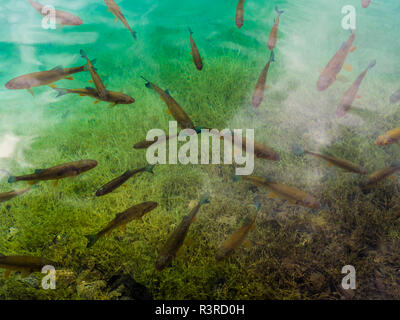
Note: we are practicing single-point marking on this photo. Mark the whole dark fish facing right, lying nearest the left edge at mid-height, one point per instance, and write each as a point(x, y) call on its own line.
point(71, 169)
